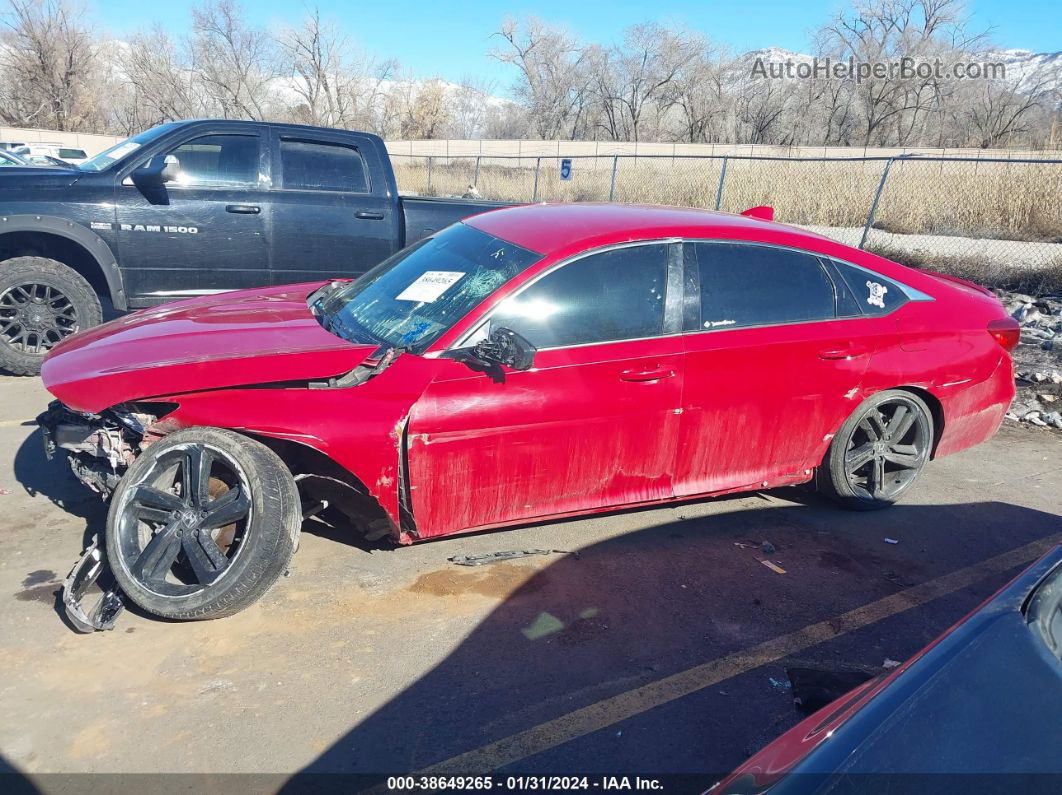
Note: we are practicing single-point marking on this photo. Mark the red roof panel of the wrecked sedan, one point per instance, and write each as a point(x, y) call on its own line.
point(552, 229)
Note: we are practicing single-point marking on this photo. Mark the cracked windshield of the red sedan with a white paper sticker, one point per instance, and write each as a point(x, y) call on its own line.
point(413, 299)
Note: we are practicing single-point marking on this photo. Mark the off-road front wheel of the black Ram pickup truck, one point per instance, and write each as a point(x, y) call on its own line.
point(42, 303)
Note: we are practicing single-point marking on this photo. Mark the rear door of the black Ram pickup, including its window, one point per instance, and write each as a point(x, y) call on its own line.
point(333, 210)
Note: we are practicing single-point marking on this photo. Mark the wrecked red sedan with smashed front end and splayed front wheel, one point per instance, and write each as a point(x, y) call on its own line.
point(529, 364)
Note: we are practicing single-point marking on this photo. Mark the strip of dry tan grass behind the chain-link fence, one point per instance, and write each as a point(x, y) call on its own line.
point(1008, 201)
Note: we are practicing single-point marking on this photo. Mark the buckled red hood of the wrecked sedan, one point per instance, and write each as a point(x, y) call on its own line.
point(236, 339)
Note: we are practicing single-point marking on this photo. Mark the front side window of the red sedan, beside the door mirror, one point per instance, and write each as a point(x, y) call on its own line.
point(604, 298)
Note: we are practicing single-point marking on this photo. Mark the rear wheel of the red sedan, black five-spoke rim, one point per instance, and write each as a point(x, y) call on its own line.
point(879, 453)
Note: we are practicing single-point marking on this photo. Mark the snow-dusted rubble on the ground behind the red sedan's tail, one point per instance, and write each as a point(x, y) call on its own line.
point(1038, 359)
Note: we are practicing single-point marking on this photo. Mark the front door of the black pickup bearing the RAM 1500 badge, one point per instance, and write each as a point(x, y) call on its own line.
point(205, 233)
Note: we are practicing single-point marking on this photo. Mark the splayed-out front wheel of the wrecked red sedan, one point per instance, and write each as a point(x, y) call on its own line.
point(202, 525)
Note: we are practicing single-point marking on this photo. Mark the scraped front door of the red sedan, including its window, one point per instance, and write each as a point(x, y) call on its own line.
point(593, 425)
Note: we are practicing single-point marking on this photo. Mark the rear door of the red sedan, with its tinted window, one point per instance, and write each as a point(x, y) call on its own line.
point(776, 354)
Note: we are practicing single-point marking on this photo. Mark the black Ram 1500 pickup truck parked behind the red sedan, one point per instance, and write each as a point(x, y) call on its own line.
point(196, 208)
